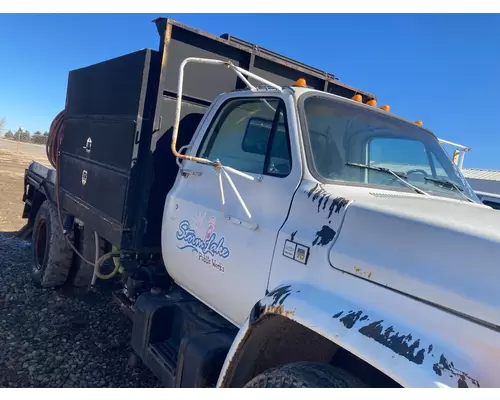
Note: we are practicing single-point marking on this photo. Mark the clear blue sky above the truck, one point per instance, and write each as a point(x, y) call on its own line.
point(442, 69)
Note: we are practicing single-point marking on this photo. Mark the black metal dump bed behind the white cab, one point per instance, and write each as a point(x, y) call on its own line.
point(116, 165)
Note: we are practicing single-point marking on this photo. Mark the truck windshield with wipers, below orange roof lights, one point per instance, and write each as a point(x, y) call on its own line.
point(347, 143)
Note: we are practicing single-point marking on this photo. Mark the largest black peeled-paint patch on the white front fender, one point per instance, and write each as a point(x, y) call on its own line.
point(398, 343)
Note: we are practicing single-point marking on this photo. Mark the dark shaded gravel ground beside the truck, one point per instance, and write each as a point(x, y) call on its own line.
point(50, 339)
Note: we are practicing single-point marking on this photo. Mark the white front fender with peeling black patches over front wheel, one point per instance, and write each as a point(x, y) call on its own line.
point(407, 353)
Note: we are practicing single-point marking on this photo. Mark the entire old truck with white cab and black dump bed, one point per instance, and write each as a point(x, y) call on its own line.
point(297, 238)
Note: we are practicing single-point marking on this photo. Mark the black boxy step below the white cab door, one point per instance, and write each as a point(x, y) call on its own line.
point(182, 341)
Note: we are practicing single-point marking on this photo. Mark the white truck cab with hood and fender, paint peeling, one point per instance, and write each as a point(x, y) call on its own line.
point(344, 218)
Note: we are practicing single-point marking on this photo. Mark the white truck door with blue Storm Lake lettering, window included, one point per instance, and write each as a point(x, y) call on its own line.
point(217, 253)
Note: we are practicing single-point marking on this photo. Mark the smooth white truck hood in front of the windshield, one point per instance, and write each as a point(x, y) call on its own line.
point(441, 251)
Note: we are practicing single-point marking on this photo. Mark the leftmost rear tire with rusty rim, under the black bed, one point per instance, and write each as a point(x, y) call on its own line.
point(52, 255)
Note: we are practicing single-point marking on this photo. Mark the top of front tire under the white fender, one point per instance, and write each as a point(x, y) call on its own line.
point(305, 375)
